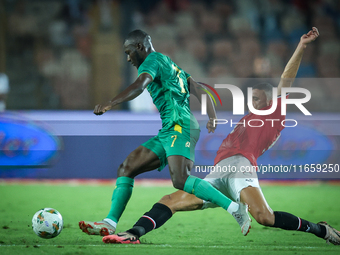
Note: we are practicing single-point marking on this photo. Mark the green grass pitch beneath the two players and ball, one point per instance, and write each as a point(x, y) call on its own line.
point(211, 231)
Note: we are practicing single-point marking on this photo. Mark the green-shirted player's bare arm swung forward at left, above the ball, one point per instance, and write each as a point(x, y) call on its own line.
point(131, 92)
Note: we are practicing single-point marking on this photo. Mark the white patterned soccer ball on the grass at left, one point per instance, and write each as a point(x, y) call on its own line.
point(47, 223)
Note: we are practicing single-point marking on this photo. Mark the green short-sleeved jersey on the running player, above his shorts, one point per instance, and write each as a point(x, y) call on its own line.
point(169, 91)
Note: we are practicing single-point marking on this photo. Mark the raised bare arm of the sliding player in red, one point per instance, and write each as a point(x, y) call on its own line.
point(293, 64)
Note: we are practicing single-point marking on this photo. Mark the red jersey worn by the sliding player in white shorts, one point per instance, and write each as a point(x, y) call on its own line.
point(253, 135)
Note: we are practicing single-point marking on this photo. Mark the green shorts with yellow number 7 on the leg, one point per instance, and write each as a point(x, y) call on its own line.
point(173, 141)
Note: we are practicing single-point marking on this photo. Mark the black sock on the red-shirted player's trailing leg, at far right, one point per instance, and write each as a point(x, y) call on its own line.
point(288, 221)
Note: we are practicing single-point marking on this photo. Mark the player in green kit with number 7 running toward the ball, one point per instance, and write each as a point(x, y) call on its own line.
point(175, 143)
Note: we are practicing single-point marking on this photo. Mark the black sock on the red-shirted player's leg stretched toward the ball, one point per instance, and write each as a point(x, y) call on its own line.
point(156, 217)
